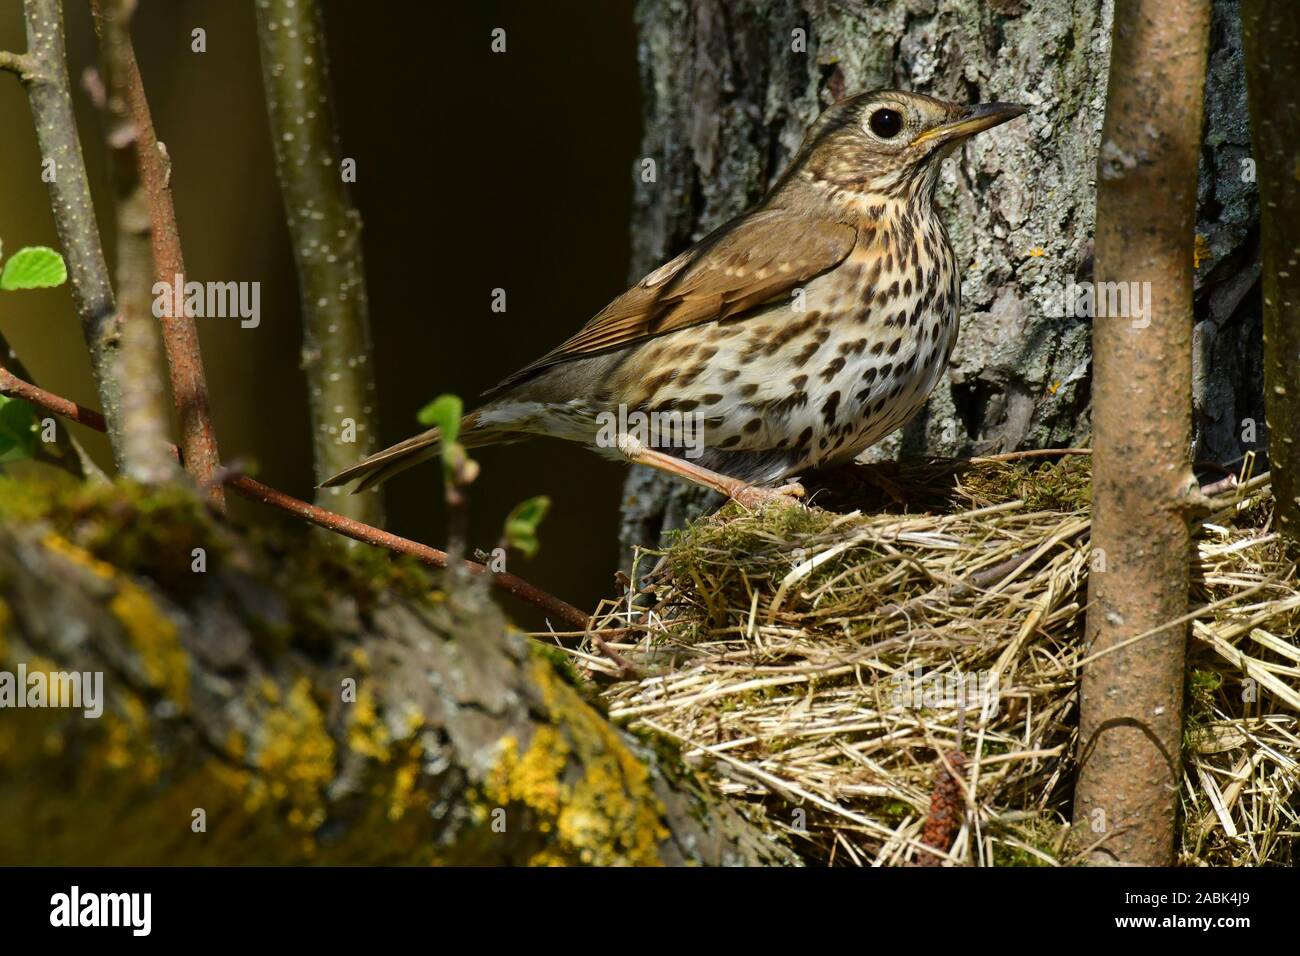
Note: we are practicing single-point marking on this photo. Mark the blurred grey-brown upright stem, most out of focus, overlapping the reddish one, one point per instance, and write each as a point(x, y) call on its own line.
point(145, 417)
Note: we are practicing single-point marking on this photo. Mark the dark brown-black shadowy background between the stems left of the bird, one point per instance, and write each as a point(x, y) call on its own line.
point(475, 171)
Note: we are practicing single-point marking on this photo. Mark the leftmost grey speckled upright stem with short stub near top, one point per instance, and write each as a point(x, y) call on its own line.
point(44, 71)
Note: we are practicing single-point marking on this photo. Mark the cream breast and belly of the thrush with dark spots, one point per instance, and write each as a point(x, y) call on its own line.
point(829, 371)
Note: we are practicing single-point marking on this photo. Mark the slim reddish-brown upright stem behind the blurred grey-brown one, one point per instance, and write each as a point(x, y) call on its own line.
point(180, 335)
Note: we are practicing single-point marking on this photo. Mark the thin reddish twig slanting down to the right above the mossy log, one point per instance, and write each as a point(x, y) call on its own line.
point(249, 488)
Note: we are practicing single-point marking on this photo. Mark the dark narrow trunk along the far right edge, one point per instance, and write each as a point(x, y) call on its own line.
point(1272, 33)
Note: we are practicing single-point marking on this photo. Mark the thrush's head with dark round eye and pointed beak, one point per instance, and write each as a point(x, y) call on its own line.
point(891, 142)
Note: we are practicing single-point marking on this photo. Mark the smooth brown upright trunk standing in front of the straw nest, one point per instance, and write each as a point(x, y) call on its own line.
point(1132, 697)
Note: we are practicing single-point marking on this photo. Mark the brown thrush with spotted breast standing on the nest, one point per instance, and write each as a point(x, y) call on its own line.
point(791, 339)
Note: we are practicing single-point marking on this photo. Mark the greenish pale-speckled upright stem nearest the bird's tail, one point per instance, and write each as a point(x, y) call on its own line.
point(327, 235)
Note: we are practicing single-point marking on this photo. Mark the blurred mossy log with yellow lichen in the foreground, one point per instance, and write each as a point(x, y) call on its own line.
point(285, 704)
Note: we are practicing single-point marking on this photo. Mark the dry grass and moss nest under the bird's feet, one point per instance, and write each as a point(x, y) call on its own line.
point(903, 689)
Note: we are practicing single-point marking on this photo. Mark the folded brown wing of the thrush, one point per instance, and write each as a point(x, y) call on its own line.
point(746, 263)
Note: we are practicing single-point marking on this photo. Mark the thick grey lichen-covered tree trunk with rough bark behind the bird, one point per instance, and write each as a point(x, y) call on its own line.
point(727, 101)
